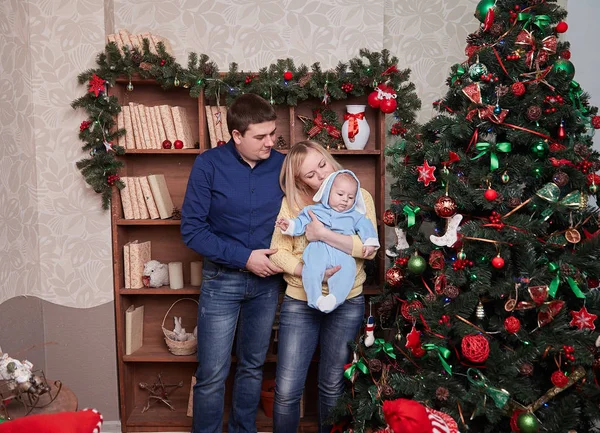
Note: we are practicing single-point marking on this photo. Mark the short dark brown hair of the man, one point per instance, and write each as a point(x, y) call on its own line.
point(246, 110)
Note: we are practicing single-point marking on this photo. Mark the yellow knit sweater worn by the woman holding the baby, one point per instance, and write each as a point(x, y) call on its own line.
point(290, 249)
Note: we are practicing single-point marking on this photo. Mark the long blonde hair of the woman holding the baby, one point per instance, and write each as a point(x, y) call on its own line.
point(297, 193)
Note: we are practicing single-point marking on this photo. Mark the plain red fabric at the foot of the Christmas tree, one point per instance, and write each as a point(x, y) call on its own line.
point(406, 416)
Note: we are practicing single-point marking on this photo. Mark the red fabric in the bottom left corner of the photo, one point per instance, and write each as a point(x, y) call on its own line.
point(84, 421)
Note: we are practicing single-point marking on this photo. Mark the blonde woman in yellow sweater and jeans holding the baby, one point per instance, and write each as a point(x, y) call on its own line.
point(302, 328)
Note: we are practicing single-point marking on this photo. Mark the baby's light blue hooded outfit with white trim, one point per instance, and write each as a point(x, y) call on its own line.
point(319, 256)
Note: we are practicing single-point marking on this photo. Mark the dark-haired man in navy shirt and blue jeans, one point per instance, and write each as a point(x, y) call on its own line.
point(228, 216)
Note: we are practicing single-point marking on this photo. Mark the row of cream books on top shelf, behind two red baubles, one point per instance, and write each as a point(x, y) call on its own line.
point(149, 127)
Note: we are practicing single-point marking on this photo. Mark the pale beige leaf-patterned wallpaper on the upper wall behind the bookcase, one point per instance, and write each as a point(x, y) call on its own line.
point(54, 237)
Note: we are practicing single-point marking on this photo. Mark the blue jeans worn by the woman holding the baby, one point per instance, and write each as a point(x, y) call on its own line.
point(301, 328)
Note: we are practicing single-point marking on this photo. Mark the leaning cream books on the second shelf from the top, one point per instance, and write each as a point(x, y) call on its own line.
point(146, 197)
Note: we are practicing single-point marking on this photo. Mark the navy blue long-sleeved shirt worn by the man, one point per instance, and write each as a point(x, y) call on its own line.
point(230, 208)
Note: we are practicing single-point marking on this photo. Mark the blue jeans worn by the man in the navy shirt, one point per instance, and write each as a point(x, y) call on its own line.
point(231, 297)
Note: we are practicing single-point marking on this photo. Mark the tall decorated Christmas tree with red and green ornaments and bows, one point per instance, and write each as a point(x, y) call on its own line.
point(491, 300)
